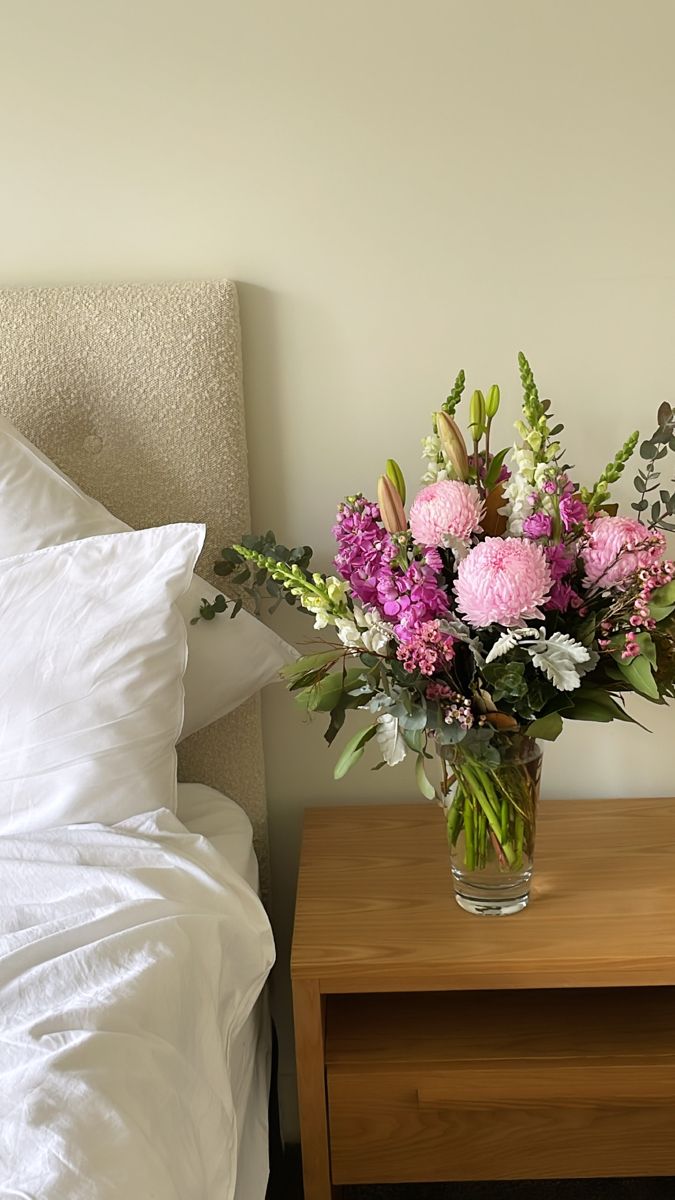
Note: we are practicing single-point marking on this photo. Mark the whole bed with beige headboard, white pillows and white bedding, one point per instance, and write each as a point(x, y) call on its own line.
point(135, 947)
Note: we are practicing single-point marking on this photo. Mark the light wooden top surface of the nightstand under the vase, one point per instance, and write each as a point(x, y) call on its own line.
point(375, 909)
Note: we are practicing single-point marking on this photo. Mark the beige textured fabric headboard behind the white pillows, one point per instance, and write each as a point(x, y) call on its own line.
point(135, 392)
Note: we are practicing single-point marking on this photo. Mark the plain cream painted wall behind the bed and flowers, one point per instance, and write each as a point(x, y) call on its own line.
point(401, 189)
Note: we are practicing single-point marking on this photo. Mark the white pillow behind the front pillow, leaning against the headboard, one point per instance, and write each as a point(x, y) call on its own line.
point(229, 661)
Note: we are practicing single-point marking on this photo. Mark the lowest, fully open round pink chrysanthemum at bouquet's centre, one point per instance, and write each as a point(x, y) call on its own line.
point(503, 581)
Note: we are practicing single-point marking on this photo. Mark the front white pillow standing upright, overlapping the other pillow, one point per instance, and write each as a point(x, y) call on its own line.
point(93, 650)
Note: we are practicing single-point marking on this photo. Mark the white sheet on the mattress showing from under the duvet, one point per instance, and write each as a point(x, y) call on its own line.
point(208, 813)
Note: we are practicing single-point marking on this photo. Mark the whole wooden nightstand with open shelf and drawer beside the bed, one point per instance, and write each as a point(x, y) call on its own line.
point(438, 1046)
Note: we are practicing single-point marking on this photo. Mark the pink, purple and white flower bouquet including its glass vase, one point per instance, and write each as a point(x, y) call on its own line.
point(509, 601)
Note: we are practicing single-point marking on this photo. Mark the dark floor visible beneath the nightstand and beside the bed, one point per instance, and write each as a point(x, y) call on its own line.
point(289, 1187)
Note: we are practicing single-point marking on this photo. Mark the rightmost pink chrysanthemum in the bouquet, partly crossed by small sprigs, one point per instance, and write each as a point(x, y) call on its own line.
point(617, 548)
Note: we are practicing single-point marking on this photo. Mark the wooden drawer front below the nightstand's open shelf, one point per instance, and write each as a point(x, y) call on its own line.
point(555, 1121)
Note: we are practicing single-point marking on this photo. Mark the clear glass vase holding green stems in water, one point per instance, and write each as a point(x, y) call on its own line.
point(492, 812)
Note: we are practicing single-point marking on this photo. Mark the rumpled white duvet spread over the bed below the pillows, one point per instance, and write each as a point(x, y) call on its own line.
point(130, 958)
